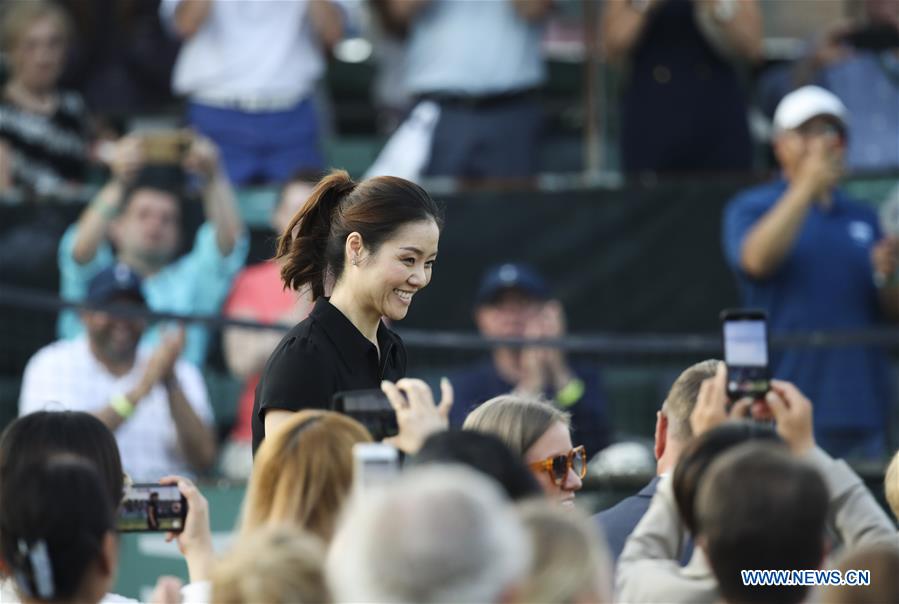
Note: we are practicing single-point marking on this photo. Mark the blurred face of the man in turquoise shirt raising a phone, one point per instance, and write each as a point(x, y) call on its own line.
point(149, 227)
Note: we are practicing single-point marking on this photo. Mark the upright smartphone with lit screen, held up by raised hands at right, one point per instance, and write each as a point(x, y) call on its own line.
point(745, 334)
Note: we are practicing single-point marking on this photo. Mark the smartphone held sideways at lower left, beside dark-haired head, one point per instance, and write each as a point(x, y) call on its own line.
point(152, 508)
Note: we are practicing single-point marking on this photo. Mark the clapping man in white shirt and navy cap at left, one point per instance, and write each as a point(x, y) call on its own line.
point(156, 405)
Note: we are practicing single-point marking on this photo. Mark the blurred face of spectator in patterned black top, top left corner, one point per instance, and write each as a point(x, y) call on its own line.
point(38, 55)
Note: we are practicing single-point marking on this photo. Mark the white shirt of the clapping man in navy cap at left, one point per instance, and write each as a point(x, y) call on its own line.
point(66, 375)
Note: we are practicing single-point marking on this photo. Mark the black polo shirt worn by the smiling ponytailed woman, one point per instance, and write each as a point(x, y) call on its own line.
point(320, 356)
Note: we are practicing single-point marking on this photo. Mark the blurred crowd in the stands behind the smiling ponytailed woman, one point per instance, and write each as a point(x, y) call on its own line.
point(603, 164)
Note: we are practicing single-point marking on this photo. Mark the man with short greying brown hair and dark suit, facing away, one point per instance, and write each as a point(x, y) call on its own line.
point(672, 434)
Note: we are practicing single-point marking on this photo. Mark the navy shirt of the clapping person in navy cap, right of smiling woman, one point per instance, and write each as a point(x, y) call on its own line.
point(589, 425)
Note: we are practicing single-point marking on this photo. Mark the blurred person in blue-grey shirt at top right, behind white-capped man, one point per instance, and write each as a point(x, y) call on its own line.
point(859, 63)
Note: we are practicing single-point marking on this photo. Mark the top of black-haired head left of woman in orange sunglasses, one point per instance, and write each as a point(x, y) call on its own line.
point(483, 452)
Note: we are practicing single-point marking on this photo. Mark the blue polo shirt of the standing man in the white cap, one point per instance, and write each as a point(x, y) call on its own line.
point(825, 282)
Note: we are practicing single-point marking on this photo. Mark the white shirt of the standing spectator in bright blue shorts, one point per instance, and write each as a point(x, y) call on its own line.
point(248, 49)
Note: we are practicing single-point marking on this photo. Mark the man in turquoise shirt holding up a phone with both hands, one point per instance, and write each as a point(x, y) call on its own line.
point(139, 212)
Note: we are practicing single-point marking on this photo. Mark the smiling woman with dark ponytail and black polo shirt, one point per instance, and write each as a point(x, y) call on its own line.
point(370, 245)
